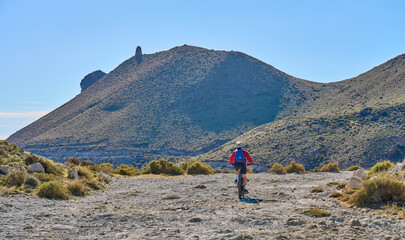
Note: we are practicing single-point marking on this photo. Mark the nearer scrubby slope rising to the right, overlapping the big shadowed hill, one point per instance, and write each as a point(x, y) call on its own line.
point(356, 121)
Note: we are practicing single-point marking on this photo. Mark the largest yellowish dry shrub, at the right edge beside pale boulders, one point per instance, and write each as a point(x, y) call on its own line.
point(379, 189)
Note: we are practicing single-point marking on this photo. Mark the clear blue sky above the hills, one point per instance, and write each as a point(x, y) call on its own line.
point(48, 46)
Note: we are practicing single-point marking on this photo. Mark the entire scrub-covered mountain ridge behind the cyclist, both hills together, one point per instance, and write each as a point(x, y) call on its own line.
point(189, 100)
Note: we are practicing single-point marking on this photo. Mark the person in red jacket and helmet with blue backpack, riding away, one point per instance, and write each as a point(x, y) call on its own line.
point(238, 160)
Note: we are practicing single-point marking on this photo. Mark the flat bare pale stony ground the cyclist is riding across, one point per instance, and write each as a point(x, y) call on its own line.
point(156, 207)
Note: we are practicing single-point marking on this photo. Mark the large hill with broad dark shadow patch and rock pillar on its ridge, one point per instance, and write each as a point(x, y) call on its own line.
point(181, 102)
